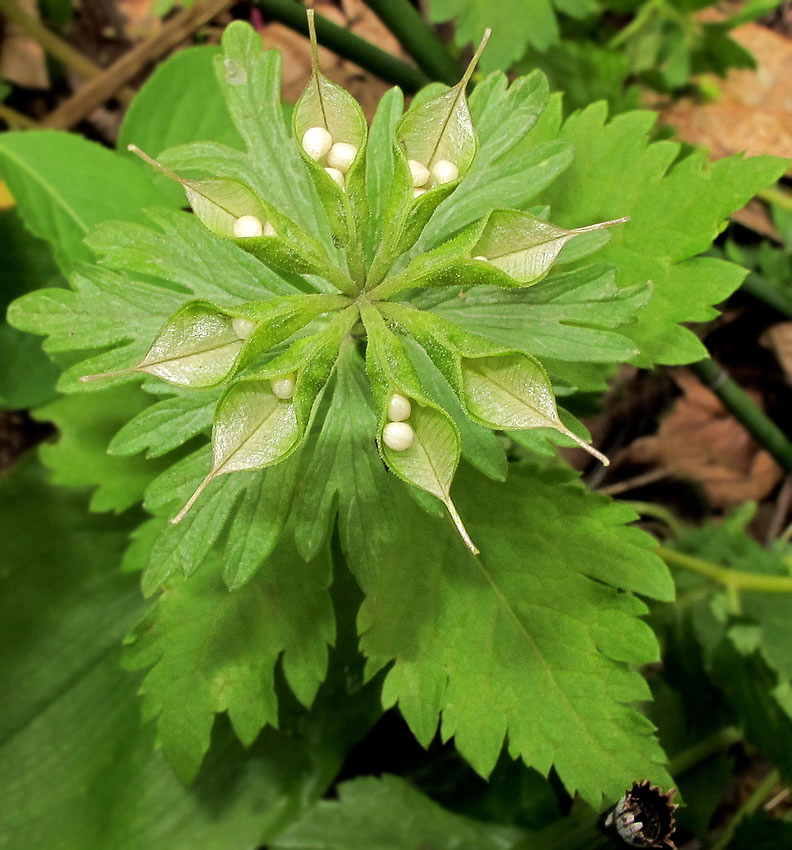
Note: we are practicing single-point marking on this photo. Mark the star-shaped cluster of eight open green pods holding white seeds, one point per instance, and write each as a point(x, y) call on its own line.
point(272, 358)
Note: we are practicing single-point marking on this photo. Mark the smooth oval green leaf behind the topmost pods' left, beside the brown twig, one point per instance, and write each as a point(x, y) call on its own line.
point(180, 102)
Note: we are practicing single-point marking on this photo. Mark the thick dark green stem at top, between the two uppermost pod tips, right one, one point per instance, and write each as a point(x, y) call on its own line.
point(417, 38)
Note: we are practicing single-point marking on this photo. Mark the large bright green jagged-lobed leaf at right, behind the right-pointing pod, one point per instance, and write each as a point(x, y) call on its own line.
point(675, 212)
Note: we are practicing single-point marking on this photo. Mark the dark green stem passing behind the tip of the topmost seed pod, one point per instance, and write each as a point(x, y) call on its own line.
point(346, 44)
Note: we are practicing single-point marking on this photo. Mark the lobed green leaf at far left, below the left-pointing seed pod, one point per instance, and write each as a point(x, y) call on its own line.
point(79, 457)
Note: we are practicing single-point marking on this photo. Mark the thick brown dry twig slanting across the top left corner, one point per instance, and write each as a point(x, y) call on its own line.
point(97, 91)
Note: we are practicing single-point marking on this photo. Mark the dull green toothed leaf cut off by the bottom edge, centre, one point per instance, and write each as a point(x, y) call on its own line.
point(386, 813)
